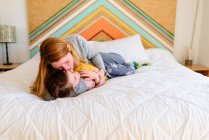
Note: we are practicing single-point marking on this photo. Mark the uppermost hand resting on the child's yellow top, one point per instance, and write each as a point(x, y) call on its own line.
point(90, 75)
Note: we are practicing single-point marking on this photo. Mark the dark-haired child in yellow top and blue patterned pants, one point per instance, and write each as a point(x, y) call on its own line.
point(62, 84)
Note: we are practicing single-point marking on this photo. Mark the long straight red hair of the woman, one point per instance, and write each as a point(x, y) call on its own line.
point(51, 50)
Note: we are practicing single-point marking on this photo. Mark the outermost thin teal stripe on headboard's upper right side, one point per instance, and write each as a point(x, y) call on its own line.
point(151, 21)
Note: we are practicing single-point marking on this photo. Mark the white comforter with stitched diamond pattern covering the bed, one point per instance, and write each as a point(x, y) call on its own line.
point(163, 101)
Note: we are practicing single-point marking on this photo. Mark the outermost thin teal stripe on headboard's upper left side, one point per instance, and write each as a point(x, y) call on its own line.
point(34, 33)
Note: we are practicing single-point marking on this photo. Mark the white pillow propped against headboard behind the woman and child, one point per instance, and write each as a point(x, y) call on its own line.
point(130, 48)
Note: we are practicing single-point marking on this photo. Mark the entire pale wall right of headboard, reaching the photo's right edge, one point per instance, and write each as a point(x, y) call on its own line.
point(187, 23)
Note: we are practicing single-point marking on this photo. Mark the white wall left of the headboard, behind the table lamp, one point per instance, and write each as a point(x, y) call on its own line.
point(15, 13)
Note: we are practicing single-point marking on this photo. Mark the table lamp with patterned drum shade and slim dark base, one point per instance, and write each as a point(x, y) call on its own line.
point(7, 35)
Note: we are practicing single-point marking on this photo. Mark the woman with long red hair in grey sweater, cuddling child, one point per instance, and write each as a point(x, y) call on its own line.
point(66, 55)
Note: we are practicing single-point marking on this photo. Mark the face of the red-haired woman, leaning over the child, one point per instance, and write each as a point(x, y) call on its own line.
point(65, 63)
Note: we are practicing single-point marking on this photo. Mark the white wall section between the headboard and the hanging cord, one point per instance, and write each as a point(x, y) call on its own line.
point(185, 18)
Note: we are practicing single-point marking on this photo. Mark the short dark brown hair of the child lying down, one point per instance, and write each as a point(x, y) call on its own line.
point(57, 85)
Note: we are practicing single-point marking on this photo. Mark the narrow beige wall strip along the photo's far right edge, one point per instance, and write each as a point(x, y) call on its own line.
point(203, 53)
